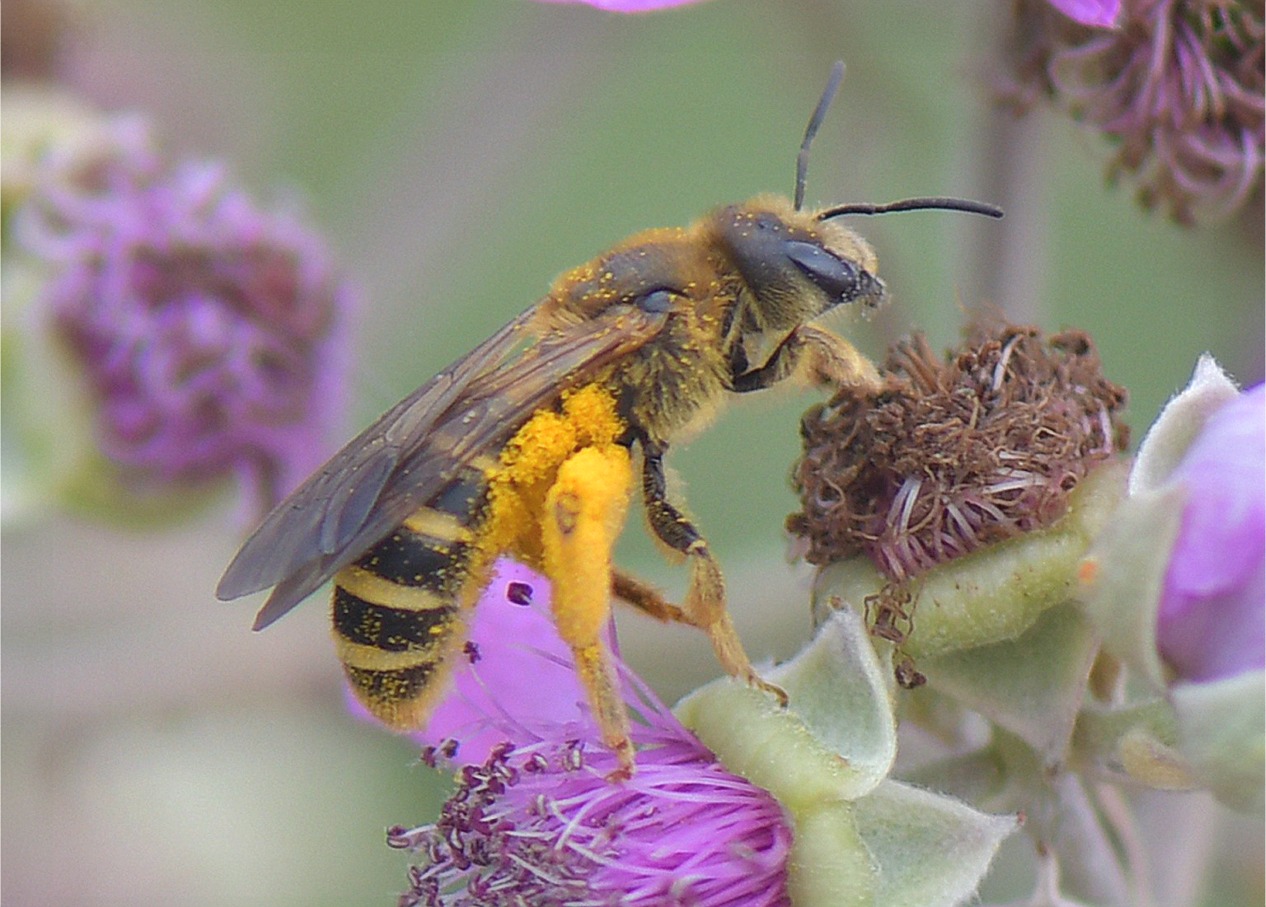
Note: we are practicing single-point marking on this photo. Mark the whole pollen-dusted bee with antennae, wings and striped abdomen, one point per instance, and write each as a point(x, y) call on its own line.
point(535, 444)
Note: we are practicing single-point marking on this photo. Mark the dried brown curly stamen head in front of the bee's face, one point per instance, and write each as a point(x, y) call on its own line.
point(954, 455)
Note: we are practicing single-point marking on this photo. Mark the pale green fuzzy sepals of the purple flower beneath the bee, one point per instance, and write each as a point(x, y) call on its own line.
point(860, 838)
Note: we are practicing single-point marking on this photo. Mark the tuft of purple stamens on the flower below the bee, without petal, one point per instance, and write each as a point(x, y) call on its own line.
point(541, 825)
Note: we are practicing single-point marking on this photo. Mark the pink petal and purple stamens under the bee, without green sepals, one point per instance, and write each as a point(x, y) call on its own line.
point(534, 819)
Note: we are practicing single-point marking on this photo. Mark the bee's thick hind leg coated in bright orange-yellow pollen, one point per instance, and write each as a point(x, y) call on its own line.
point(584, 515)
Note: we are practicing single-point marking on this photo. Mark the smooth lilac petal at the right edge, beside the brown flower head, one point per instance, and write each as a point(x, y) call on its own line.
point(1212, 620)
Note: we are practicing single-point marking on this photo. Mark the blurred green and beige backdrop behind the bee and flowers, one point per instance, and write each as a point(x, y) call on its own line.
point(459, 155)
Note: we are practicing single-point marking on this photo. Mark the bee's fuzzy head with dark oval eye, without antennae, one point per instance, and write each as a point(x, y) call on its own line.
point(794, 265)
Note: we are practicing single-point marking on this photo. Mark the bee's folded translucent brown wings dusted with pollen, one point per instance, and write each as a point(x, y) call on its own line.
point(407, 457)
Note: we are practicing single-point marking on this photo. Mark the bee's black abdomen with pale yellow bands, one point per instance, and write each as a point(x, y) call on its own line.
point(397, 611)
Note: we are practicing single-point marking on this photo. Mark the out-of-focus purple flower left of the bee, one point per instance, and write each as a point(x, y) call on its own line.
point(211, 334)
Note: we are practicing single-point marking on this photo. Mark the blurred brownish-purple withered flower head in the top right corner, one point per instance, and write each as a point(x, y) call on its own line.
point(1177, 87)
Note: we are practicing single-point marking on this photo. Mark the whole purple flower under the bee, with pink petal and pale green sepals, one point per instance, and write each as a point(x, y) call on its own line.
point(536, 821)
